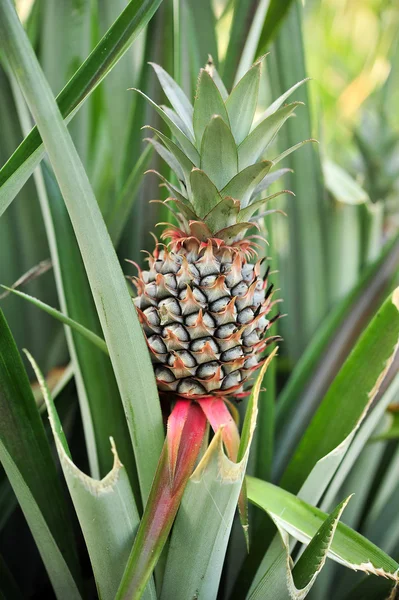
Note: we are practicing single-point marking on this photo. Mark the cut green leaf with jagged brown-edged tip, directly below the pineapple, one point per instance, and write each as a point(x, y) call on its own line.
point(212, 490)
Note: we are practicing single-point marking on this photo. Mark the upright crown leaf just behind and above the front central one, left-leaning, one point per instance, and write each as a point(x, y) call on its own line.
point(208, 102)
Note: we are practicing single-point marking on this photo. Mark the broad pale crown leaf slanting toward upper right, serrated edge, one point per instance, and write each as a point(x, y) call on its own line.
point(260, 138)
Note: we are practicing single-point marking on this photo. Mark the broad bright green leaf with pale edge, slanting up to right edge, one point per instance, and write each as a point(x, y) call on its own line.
point(345, 405)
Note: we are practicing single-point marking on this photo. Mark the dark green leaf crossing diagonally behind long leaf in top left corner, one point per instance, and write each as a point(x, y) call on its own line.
point(103, 58)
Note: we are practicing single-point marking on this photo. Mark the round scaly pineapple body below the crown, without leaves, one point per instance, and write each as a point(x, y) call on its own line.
point(204, 309)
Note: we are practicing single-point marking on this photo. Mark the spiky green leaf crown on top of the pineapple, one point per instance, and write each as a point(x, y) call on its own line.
point(217, 152)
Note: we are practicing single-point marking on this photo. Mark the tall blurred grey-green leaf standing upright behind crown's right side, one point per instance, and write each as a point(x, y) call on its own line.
point(305, 270)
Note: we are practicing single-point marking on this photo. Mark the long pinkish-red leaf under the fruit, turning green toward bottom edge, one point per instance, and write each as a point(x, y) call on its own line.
point(185, 434)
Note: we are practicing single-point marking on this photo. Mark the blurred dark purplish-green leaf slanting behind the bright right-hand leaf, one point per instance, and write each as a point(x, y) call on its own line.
point(324, 353)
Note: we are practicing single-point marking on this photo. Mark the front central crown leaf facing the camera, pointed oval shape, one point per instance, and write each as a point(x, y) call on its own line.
point(219, 157)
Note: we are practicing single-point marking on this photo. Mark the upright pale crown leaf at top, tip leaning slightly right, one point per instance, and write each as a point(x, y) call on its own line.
point(241, 104)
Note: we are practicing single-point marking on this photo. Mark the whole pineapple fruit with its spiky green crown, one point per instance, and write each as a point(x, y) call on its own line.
point(205, 308)
